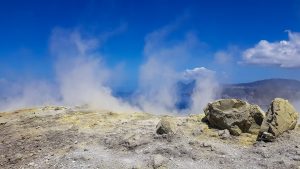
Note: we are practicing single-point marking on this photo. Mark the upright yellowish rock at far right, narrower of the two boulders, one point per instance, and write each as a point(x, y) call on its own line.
point(281, 116)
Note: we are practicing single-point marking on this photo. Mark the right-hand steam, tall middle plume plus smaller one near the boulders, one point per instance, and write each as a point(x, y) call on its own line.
point(161, 72)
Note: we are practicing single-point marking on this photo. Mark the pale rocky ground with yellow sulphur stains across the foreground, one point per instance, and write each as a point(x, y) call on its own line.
point(59, 137)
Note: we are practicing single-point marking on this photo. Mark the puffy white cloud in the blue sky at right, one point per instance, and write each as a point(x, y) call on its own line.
point(285, 53)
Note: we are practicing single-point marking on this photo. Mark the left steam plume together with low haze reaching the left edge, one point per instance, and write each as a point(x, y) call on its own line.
point(81, 78)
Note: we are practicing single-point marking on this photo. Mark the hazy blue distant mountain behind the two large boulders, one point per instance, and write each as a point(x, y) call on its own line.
point(264, 91)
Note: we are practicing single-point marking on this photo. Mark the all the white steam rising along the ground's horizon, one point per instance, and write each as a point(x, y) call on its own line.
point(82, 78)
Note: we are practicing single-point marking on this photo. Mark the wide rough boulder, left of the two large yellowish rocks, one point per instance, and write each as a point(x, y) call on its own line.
point(235, 115)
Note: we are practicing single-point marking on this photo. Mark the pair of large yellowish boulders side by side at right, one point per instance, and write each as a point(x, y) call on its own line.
point(238, 117)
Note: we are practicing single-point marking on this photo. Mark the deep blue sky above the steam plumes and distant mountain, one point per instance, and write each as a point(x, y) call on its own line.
point(224, 31)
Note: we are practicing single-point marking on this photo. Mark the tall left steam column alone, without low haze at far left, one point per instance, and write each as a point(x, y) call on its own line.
point(81, 74)
